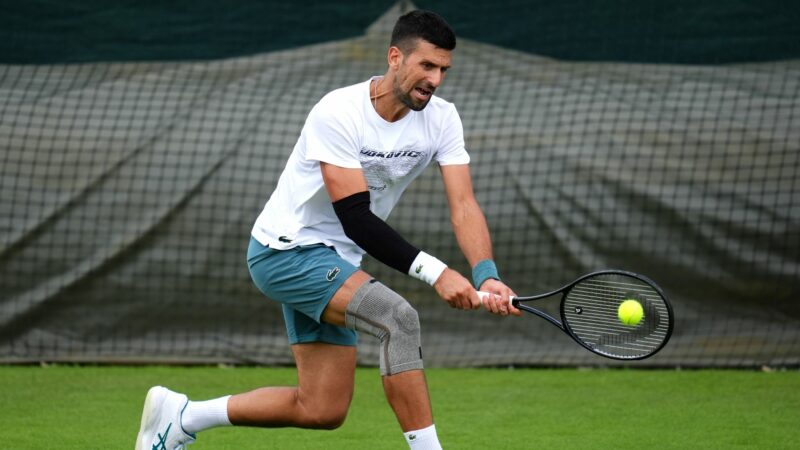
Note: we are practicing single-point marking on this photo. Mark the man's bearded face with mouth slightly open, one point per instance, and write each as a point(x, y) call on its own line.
point(419, 73)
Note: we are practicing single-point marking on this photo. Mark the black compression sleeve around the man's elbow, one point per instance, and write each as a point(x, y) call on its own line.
point(372, 234)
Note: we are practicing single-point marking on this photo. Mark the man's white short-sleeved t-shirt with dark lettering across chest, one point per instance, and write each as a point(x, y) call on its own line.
point(344, 129)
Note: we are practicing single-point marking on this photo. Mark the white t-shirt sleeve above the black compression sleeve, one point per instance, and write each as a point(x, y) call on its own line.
point(330, 137)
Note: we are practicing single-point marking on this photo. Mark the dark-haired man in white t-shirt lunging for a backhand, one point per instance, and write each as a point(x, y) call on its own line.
point(359, 149)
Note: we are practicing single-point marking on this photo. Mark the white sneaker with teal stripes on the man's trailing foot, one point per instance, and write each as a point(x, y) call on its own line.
point(161, 421)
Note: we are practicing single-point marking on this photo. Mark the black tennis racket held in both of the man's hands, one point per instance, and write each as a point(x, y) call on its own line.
point(589, 314)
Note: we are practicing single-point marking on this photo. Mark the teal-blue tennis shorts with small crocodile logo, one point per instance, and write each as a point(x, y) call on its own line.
point(303, 279)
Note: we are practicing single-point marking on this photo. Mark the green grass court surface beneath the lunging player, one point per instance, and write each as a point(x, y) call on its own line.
point(63, 407)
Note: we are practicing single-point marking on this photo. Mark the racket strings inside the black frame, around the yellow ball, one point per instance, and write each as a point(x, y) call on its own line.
point(591, 312)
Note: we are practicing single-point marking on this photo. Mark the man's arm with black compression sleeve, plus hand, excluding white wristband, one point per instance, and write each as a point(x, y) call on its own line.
point(345, 186)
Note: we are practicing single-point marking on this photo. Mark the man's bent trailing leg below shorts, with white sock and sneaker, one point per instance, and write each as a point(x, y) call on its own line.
point(320, 400)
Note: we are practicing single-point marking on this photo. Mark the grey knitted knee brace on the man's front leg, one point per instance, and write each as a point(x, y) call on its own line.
point(377, 310)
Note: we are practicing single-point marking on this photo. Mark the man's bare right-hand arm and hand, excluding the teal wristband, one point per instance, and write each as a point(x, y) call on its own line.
point(472, 232)
